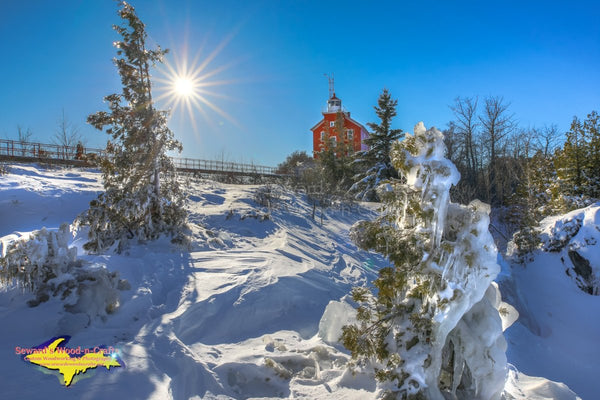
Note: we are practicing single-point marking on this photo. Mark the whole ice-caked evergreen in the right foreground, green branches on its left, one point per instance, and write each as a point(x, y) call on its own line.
point(432, 330)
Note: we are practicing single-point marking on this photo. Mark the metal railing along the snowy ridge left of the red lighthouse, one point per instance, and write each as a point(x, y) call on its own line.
point(13, 150)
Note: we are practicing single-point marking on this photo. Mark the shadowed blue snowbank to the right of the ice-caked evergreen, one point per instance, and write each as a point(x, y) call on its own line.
point(557, 334)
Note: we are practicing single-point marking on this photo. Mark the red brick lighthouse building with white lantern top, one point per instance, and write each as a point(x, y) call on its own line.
point(353, 133)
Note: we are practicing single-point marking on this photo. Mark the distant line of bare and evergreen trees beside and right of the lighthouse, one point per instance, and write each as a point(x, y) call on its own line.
point(532, 172)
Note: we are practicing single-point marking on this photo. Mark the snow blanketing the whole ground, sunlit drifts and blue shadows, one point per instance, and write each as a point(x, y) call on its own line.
point(236, 315)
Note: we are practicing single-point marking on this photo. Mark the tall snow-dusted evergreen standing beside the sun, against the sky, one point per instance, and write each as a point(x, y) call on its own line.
point(142, 197)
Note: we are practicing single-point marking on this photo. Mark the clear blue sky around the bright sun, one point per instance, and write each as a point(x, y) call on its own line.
point(270, 58)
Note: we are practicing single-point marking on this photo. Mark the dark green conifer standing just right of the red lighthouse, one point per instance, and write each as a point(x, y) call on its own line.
point(375, 162)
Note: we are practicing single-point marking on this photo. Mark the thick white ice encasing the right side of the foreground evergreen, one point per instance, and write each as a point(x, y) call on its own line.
point(468, 349)
